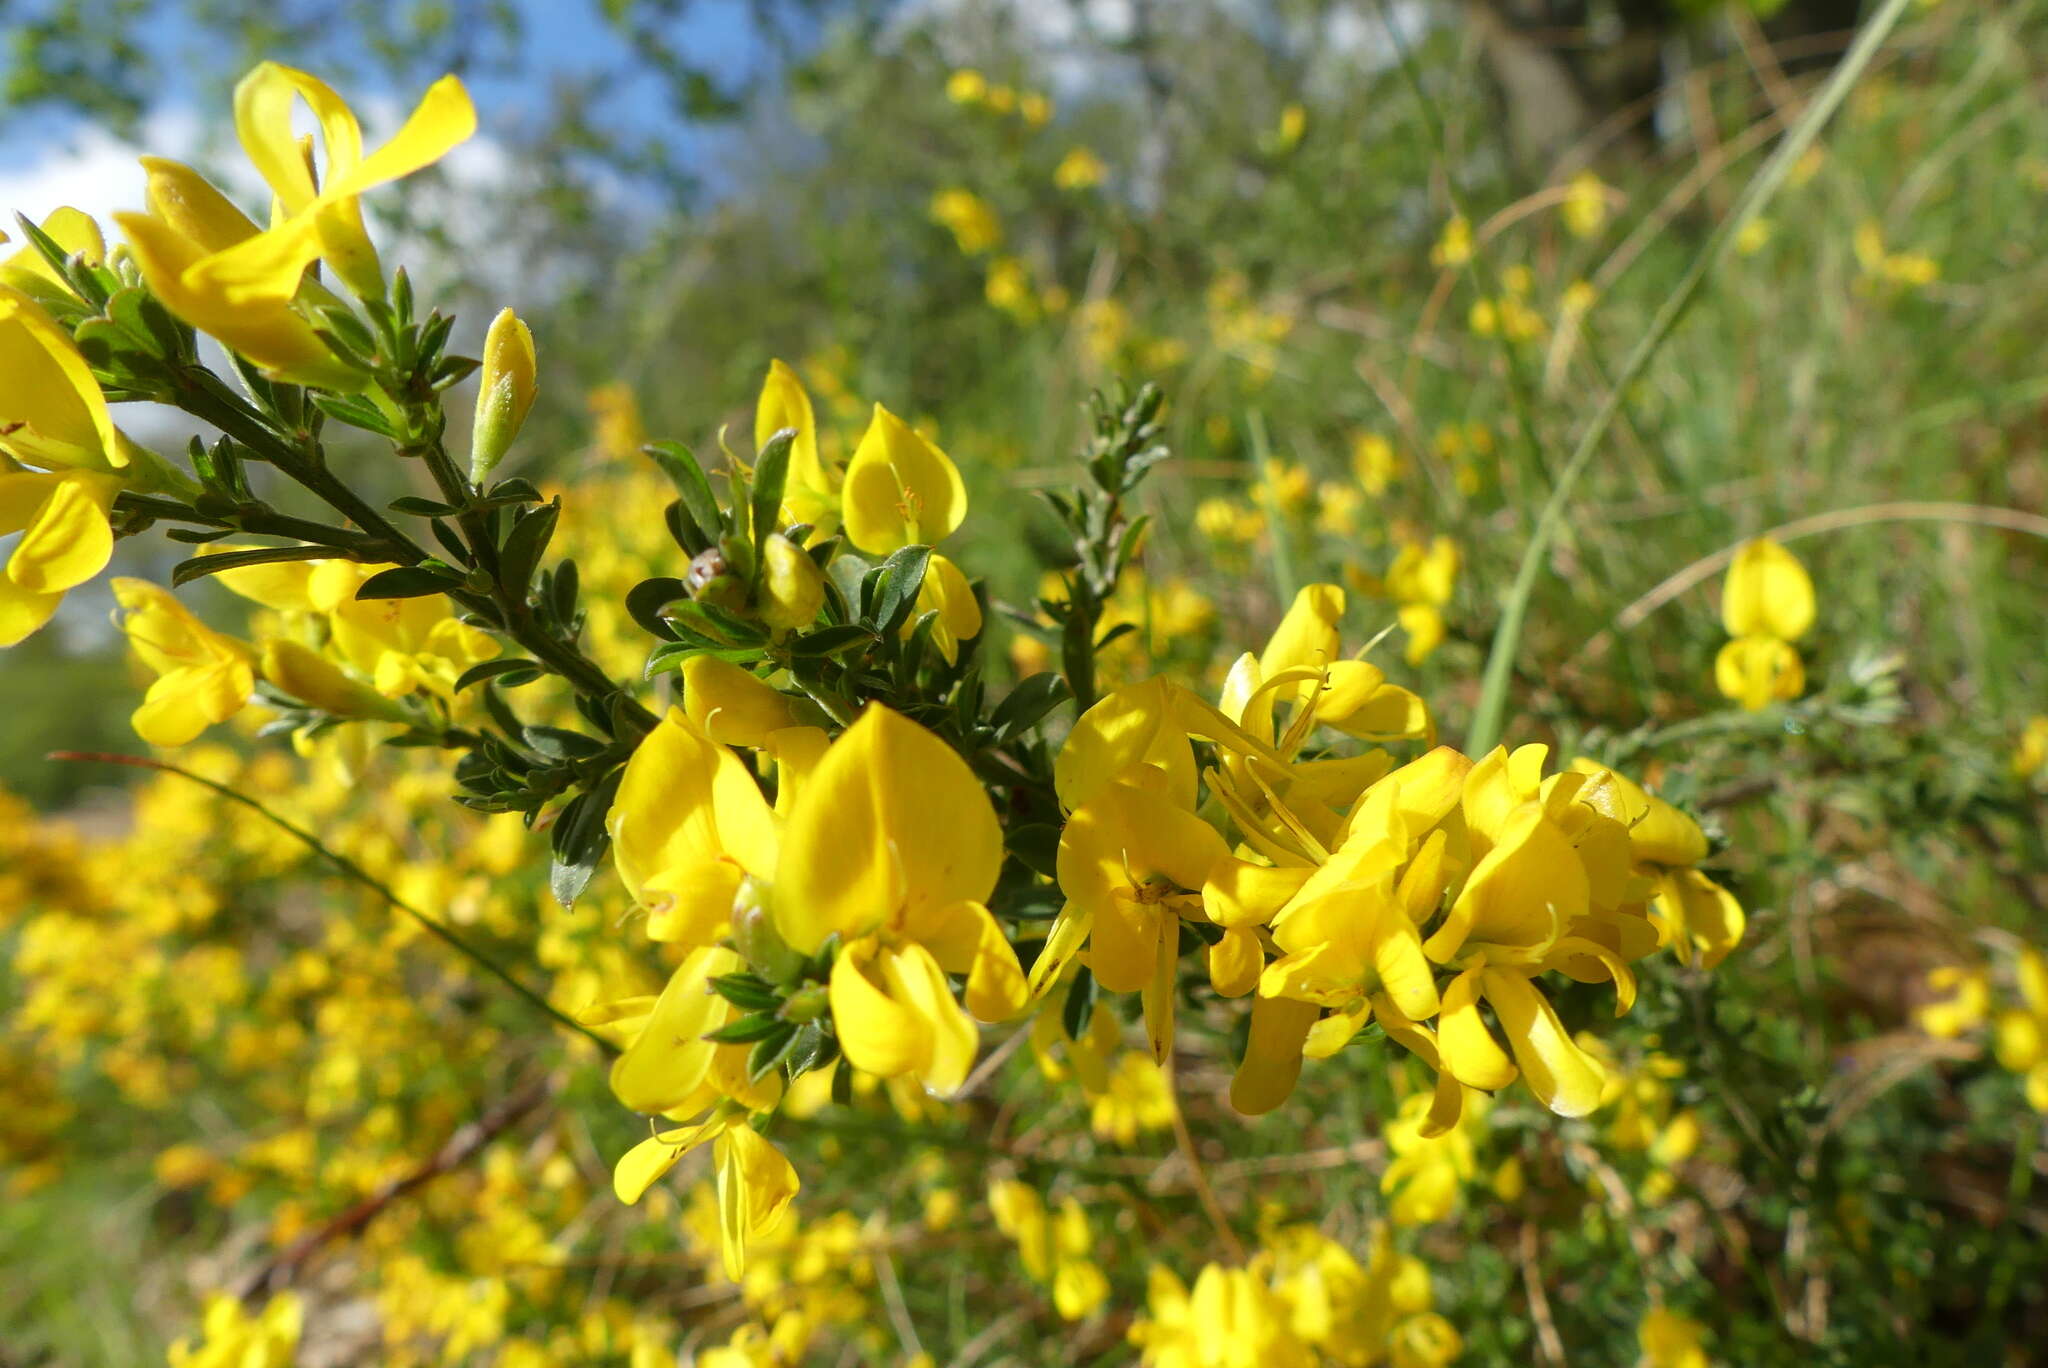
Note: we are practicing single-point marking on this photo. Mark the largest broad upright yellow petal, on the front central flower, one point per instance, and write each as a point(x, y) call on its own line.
point(892, 822)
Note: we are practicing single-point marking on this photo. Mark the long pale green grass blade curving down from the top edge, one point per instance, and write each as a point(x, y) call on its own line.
point(1490, 714)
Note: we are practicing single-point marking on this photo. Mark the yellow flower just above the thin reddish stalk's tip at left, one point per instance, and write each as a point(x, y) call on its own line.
point(204, 677)
